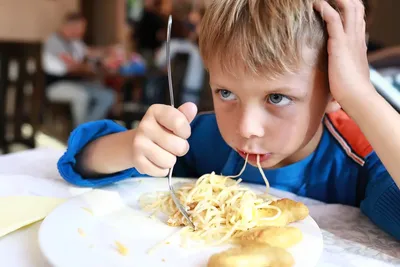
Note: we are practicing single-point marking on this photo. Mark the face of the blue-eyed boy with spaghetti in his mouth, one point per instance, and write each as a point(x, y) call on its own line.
point(279, 119)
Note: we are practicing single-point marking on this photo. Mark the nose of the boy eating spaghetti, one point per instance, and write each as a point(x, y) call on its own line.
point(251, 124)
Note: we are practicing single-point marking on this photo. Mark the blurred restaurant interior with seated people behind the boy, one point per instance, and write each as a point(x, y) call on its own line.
point(65, 62)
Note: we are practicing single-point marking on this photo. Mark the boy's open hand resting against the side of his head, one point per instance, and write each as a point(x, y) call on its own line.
point(347, 50)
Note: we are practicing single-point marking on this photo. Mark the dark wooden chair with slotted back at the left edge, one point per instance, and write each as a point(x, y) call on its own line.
point(21, 92)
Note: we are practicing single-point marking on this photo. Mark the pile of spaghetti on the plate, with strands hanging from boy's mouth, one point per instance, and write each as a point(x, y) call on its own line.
point(219, 206)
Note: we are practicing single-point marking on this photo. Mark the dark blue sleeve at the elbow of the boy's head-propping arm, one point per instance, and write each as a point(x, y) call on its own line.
point(382, 201)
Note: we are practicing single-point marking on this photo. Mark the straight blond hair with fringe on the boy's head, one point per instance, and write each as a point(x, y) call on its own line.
point(263, 36)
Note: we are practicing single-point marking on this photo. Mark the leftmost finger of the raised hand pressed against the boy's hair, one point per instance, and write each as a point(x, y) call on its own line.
point(332, 18)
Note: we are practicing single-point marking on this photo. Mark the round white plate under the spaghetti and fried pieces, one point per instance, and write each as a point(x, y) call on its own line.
point(118, 217)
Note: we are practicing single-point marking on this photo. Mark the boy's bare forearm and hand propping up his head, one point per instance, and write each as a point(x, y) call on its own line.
point(350, 83)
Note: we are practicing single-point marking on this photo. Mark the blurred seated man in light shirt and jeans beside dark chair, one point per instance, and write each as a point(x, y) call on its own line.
point(70, 72)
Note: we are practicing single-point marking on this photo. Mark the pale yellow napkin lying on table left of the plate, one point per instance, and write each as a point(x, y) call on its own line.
point(19, 211)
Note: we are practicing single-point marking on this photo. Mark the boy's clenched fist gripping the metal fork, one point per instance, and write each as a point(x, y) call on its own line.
point(162, 136)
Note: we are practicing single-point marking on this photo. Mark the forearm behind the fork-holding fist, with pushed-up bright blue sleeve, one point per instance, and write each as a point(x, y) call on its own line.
point(103, 156)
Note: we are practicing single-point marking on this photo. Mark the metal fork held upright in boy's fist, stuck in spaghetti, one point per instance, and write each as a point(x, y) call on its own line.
point(171, 94)
